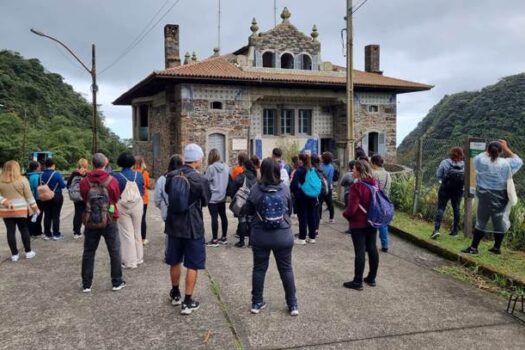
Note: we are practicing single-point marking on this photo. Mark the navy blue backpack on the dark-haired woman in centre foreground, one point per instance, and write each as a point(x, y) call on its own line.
point(271, 209)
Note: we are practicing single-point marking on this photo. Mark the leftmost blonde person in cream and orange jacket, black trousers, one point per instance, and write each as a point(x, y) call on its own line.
point(16, 204)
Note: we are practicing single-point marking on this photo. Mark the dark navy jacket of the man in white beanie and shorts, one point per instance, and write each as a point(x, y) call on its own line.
point(189, 225)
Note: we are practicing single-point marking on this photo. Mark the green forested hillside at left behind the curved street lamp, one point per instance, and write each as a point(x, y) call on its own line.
point(58, 118)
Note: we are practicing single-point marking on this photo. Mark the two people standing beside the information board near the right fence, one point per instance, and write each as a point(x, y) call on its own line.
point(495, 197)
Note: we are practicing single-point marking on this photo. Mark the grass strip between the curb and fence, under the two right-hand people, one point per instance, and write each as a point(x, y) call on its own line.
point(509, 263)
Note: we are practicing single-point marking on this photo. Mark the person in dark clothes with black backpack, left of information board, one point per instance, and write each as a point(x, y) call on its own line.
point(451, 174)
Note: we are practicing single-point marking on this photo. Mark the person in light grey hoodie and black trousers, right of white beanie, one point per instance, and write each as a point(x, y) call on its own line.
point(217, 175)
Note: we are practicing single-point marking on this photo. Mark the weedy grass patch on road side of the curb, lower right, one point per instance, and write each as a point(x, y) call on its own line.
point(498, 284)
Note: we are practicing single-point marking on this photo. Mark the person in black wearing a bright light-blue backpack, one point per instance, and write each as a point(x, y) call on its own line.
point(306, 188)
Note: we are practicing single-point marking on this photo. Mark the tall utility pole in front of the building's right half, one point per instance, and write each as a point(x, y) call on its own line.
point(349, 83)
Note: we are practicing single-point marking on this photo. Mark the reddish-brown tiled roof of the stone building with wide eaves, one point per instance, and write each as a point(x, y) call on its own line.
point(223, 69)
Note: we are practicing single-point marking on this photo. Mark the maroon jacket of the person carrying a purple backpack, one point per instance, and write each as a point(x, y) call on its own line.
point(359, 195)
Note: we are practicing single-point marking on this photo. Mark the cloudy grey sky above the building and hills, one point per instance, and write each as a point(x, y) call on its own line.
point(456, 45)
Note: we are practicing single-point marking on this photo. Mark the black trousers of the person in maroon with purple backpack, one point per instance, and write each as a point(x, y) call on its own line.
point(364, 240)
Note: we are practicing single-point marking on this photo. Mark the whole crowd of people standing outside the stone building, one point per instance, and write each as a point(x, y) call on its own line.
point(264, 198)
